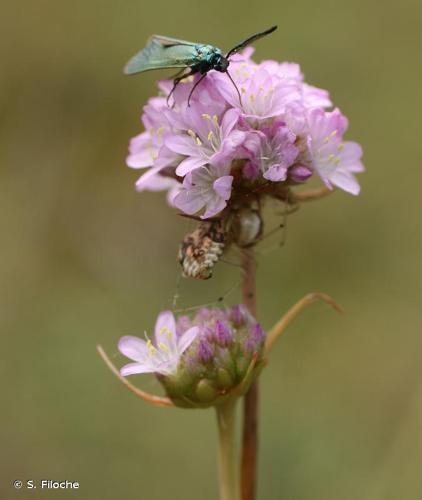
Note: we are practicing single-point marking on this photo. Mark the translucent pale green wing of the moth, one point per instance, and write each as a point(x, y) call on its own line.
point(162, 52)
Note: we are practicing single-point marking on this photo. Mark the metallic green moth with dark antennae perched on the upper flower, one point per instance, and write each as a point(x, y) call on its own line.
point(163, 52)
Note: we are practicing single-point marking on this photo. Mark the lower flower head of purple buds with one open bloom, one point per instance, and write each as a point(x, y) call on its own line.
point(203, 360)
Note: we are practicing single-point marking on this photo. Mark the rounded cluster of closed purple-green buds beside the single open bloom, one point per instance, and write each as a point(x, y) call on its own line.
point(221, 362)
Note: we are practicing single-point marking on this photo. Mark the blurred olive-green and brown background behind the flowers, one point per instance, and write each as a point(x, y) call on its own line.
point(85, 259)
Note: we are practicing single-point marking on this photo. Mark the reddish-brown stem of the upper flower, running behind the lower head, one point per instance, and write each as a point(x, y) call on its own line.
point(250, 407)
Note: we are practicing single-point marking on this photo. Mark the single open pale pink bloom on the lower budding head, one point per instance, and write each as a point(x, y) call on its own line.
point(162, 355)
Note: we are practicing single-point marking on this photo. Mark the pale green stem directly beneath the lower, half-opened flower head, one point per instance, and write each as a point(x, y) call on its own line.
point(227, 456)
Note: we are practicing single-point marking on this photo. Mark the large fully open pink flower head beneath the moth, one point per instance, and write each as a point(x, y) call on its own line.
point(282, 132)
